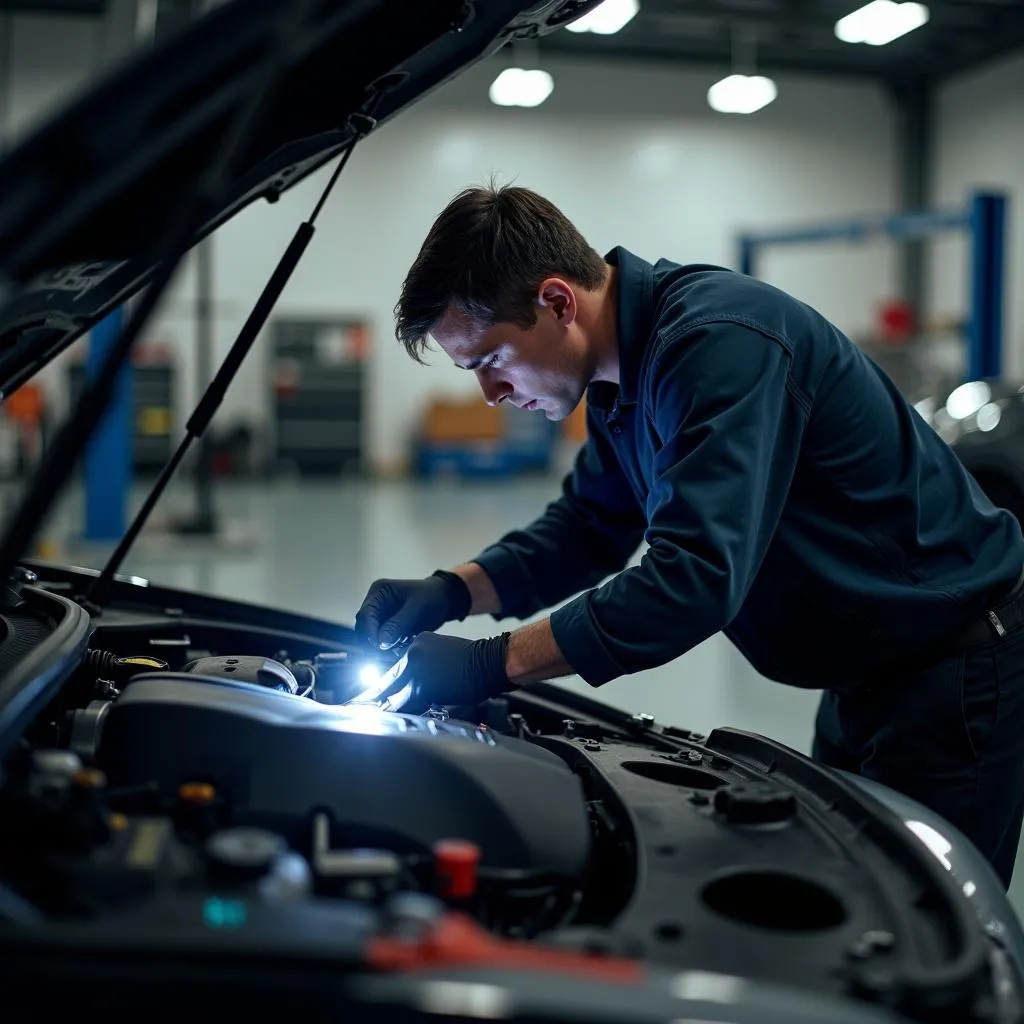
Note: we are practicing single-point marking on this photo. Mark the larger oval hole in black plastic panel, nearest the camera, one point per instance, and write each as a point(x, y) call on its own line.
point(772, 900)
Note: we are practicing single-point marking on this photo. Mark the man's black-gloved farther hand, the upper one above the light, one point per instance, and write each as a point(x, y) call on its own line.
point(395, 611)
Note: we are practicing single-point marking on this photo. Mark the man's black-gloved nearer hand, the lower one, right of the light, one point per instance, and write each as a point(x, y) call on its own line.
point(446, 670)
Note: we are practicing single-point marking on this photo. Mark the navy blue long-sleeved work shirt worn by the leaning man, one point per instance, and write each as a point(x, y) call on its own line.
point(788, 493)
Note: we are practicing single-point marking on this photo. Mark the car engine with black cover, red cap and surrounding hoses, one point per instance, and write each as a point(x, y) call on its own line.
point(255, 774)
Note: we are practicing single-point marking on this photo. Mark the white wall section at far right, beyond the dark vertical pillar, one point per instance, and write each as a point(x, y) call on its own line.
point(980, 145)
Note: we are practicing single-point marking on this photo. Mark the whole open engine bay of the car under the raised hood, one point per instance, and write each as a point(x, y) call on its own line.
point(208, 780)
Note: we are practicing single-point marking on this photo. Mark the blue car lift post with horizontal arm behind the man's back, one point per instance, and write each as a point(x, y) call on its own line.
point(985, 221)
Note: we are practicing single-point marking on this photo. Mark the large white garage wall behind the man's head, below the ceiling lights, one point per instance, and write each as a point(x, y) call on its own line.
point(632, 154)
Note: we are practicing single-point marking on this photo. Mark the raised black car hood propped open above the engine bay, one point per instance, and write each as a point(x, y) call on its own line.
point(83, 199)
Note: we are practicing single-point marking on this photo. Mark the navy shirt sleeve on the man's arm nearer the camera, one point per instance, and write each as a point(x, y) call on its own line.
point(730, 426)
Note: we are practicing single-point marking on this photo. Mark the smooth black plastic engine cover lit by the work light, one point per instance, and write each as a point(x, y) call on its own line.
point(387, 780)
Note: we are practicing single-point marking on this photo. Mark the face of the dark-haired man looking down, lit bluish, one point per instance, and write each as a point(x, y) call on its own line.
point(545, 368)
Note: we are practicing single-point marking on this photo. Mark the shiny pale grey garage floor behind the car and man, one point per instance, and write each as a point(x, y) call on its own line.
point(315, 548)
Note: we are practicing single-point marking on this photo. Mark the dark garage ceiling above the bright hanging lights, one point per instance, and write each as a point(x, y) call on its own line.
point(788, 35)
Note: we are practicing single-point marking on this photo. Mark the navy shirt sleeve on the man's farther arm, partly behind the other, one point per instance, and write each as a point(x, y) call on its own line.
point(589, 533)
